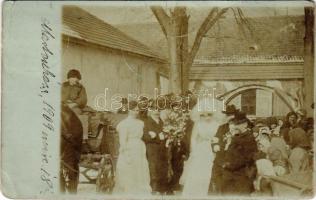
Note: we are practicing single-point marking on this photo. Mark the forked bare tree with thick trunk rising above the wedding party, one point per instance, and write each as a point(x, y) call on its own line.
point(175, 28)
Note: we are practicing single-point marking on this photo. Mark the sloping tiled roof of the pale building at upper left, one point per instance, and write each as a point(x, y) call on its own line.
point(80, 24)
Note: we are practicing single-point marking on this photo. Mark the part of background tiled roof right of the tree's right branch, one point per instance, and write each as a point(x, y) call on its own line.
point(272, 37)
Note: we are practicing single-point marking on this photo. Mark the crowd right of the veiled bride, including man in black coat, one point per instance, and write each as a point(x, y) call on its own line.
point(282, 148)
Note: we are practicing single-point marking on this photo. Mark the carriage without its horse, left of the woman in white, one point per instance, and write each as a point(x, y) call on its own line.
point(100, 150)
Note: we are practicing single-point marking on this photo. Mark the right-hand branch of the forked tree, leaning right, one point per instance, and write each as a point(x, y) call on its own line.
point(207, 24)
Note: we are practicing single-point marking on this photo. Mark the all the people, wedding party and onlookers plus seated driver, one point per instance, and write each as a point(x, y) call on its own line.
point(230, 156)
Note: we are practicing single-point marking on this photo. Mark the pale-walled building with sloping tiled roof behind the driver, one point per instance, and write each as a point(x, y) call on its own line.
point(108, 58)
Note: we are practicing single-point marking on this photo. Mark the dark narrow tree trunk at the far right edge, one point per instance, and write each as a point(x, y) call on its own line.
point(309, 60)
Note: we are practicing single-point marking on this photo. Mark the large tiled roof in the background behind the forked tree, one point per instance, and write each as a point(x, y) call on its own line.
point(274, 39)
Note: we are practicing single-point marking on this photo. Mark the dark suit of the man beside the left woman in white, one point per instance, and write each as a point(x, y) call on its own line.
point(157, 155)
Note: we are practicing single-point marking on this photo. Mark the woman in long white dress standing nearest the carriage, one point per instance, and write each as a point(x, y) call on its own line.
point(132, 171)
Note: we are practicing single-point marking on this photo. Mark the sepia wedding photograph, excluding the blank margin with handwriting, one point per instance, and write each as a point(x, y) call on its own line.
point(187, 100)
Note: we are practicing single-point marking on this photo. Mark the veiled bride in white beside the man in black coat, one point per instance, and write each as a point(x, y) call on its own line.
point(199, 165)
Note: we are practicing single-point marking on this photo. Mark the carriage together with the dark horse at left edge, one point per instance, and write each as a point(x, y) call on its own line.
point(98, 151)
